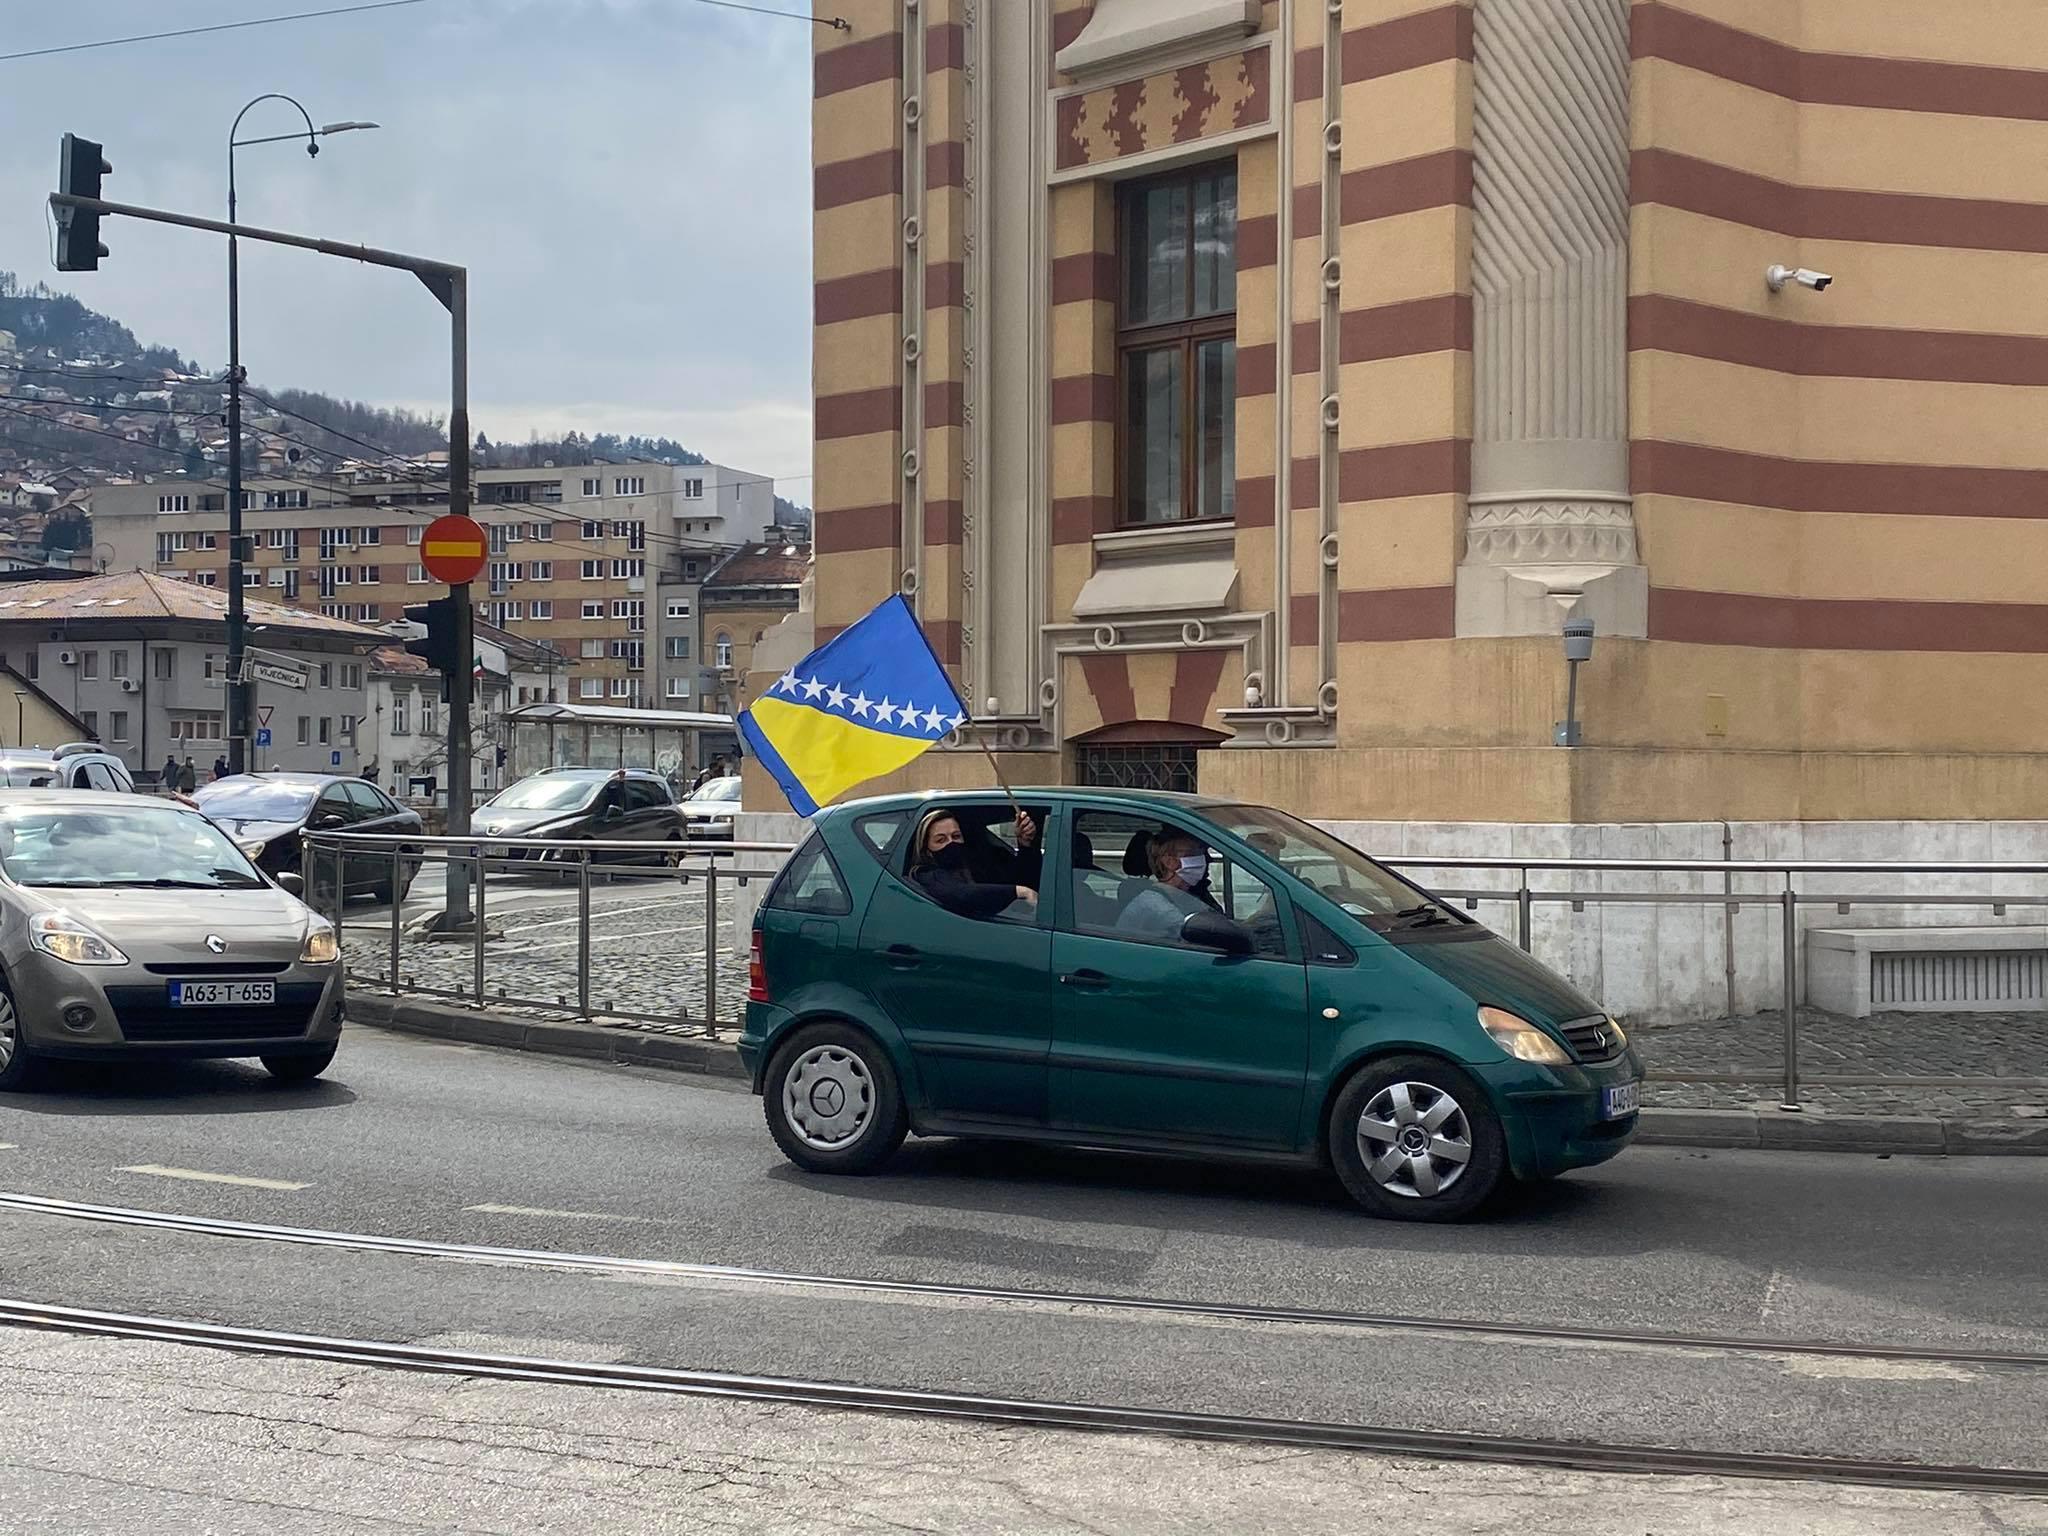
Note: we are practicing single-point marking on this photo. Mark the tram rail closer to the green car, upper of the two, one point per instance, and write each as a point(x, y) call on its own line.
point(1162, 1308)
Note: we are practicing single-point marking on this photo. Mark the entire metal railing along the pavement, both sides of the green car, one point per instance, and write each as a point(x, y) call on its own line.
point(1773, 886)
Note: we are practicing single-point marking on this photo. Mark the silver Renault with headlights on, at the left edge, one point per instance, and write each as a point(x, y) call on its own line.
point(134, 927)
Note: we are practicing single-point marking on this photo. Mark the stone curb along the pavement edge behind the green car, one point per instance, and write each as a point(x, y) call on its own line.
point(1719, 1129)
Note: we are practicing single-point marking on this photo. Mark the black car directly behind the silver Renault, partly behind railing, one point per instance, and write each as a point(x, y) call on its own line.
point(267, 816)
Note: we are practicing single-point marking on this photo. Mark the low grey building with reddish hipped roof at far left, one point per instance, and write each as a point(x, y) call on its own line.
point(140, 660)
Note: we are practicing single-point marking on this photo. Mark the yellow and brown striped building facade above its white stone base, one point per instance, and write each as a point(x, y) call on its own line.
point(1500, 353)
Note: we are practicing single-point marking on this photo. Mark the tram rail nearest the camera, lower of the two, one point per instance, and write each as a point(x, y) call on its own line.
point(1365, 1439)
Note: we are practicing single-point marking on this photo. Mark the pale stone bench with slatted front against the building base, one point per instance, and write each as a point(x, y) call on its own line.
point(1863, 972)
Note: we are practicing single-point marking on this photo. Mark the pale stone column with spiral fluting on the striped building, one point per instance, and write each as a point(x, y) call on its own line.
point(1549, 523)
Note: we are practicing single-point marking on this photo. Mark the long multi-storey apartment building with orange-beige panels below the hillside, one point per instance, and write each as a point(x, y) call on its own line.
point(577, 552)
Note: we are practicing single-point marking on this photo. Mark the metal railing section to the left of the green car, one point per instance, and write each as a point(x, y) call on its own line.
point(333, 861)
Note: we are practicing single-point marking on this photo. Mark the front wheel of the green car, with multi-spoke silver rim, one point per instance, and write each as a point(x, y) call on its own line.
point(1416, 1140)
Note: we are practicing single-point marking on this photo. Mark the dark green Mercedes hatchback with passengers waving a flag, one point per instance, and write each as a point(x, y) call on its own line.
point(1193, 978)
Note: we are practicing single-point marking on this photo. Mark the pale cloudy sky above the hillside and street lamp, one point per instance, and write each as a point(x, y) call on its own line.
point(628, 183)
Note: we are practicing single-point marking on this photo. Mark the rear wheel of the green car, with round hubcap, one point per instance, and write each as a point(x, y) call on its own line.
point(833, 1101)
